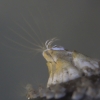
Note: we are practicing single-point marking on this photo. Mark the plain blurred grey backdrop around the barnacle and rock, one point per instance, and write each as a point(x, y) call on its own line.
point(75, 22)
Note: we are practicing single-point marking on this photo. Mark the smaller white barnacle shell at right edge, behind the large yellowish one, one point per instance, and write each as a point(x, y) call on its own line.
point(87, 65)
